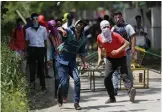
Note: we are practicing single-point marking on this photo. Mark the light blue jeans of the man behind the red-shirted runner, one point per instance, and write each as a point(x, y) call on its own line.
point(130, 74)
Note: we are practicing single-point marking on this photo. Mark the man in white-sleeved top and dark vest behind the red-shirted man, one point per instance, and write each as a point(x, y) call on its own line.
point(127, 32)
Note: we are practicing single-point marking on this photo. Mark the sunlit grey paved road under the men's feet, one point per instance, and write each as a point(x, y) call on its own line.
point(147, 100)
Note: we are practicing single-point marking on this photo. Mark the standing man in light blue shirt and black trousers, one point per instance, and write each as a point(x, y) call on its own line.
point(36, 37)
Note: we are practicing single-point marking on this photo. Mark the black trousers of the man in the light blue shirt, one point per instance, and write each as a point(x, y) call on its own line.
point(36, 57)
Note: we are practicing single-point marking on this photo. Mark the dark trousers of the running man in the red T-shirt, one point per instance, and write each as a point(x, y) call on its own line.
point(112, 64)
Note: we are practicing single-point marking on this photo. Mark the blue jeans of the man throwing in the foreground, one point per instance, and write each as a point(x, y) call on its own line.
point(63, 73)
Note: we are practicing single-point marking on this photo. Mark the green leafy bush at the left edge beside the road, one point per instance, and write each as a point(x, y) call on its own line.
point(13, 82)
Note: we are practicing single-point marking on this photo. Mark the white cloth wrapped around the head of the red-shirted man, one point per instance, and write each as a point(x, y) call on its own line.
point(106, 32)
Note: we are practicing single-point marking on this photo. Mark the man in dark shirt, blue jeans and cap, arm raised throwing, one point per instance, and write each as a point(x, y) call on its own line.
point(73, 44)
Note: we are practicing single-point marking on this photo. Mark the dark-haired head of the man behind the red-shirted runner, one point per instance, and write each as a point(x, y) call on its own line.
point(118, 18)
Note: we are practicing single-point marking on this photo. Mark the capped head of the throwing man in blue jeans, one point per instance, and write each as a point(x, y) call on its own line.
point(79, 25)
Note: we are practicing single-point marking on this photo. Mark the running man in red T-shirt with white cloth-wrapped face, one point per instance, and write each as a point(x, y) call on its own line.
point(114, 46)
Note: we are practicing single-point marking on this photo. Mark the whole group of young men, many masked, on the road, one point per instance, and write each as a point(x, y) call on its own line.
point(59, 42)
